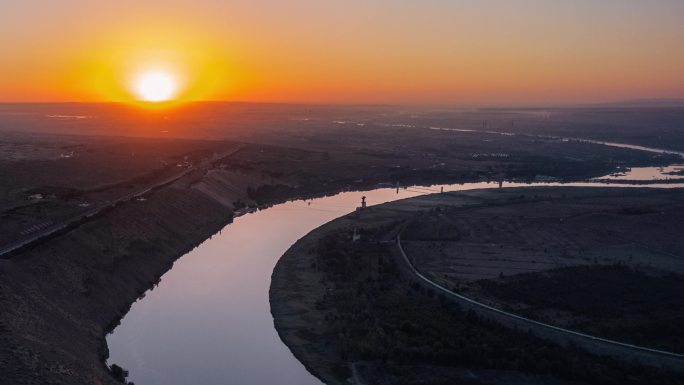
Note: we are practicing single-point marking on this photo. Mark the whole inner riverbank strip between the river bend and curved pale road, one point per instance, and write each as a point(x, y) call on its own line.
point(341, 309)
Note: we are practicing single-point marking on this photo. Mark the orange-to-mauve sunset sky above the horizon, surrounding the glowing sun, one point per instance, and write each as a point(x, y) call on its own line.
point(379, 51)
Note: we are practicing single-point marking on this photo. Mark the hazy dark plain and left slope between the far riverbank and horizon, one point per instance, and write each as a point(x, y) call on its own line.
point(140, 188)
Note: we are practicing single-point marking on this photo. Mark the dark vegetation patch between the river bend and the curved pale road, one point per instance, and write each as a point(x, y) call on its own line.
point(372, 317)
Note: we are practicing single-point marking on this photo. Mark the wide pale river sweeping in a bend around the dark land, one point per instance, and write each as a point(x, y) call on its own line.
point(209, 321)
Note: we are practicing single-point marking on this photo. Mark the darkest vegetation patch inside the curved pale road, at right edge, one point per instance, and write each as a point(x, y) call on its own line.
point(613, 301)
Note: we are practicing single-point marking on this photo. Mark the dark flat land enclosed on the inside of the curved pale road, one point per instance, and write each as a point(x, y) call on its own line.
point(609, 267)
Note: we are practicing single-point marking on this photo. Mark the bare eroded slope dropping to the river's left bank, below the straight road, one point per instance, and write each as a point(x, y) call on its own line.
point(59, 298)
